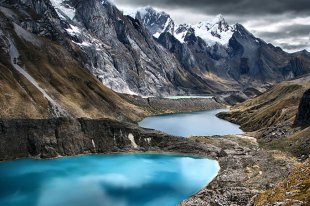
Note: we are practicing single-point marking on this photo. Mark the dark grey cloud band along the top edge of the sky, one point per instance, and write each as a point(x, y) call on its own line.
point(238, 7)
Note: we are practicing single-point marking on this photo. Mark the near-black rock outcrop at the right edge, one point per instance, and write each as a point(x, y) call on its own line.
point(303, 115)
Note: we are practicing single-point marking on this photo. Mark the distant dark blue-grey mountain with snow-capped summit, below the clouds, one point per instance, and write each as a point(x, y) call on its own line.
point(230, 55)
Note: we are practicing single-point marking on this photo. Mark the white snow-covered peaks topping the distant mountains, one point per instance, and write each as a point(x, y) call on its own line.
point(212, 31)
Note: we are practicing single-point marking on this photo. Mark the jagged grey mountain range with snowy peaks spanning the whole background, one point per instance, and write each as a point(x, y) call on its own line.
point(145, 52)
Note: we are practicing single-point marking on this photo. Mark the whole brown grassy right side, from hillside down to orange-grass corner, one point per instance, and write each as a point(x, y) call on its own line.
point(265, 116)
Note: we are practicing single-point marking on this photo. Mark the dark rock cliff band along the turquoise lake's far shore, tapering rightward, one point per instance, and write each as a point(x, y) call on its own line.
point(49, 138)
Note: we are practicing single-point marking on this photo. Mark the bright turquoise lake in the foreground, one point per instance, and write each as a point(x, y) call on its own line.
point(104, 180)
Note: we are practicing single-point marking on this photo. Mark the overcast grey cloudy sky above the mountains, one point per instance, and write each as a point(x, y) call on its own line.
point(284, 23)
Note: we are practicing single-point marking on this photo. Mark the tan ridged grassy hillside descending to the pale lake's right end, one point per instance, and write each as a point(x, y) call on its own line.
point(277, 105)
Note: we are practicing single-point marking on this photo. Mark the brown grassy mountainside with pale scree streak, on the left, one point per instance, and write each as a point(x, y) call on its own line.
point(40, 79)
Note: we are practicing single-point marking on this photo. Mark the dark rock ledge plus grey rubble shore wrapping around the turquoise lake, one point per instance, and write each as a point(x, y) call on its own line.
point(245, 169)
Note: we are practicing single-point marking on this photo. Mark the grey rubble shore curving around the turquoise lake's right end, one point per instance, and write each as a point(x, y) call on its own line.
point(246, 170)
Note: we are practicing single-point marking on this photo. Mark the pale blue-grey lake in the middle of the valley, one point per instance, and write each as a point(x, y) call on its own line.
point(203, 123)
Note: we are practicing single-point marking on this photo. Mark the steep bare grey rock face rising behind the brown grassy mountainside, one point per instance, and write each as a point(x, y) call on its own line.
point(122, 54)
